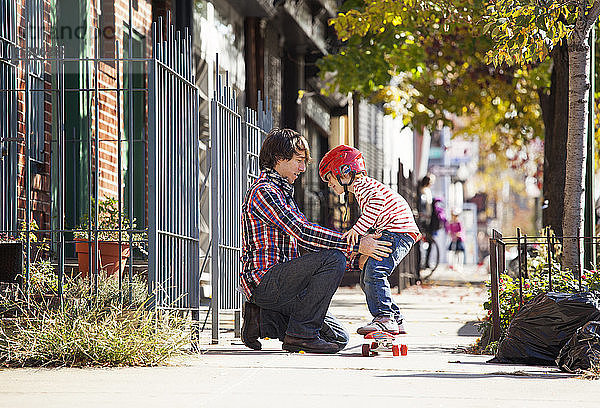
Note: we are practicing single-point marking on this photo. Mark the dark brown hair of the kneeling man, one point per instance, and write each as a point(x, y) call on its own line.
point(281, 144)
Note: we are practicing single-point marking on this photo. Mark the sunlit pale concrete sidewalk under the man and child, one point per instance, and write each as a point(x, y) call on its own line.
point(439, 318)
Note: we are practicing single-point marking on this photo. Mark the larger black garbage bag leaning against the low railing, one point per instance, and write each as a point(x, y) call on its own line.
point(544, 325)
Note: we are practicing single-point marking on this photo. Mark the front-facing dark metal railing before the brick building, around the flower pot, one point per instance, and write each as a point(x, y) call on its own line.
point(44, 152)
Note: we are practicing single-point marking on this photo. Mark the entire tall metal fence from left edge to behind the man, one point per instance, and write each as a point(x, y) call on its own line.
point(169, 139)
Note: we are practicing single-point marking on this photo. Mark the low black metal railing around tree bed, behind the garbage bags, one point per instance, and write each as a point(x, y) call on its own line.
point(524, 244)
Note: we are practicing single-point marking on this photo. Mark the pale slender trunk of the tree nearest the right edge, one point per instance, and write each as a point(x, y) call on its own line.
point(579, 84)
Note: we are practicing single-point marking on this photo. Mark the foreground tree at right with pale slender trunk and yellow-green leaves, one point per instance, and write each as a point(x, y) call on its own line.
point(527, 31)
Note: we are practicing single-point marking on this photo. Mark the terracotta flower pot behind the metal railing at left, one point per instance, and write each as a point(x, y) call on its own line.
point(109, 256)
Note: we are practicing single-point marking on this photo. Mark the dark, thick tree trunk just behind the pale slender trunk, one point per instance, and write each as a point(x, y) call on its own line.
point(555, 114)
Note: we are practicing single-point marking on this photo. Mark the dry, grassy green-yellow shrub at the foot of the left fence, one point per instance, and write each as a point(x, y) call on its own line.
point(86, 330)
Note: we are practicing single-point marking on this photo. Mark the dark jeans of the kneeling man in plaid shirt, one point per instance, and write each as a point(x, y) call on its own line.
point(302, 289)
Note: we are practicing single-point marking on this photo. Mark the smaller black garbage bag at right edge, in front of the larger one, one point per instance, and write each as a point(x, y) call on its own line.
point(582, 350)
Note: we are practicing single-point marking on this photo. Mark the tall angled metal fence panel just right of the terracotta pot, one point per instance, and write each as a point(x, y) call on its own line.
point(173, 173)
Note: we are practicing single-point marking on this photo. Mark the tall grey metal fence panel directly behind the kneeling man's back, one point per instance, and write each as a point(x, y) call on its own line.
point(235, 144)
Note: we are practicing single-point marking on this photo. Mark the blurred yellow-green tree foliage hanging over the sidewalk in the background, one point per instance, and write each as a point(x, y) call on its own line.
point(426, 61)
